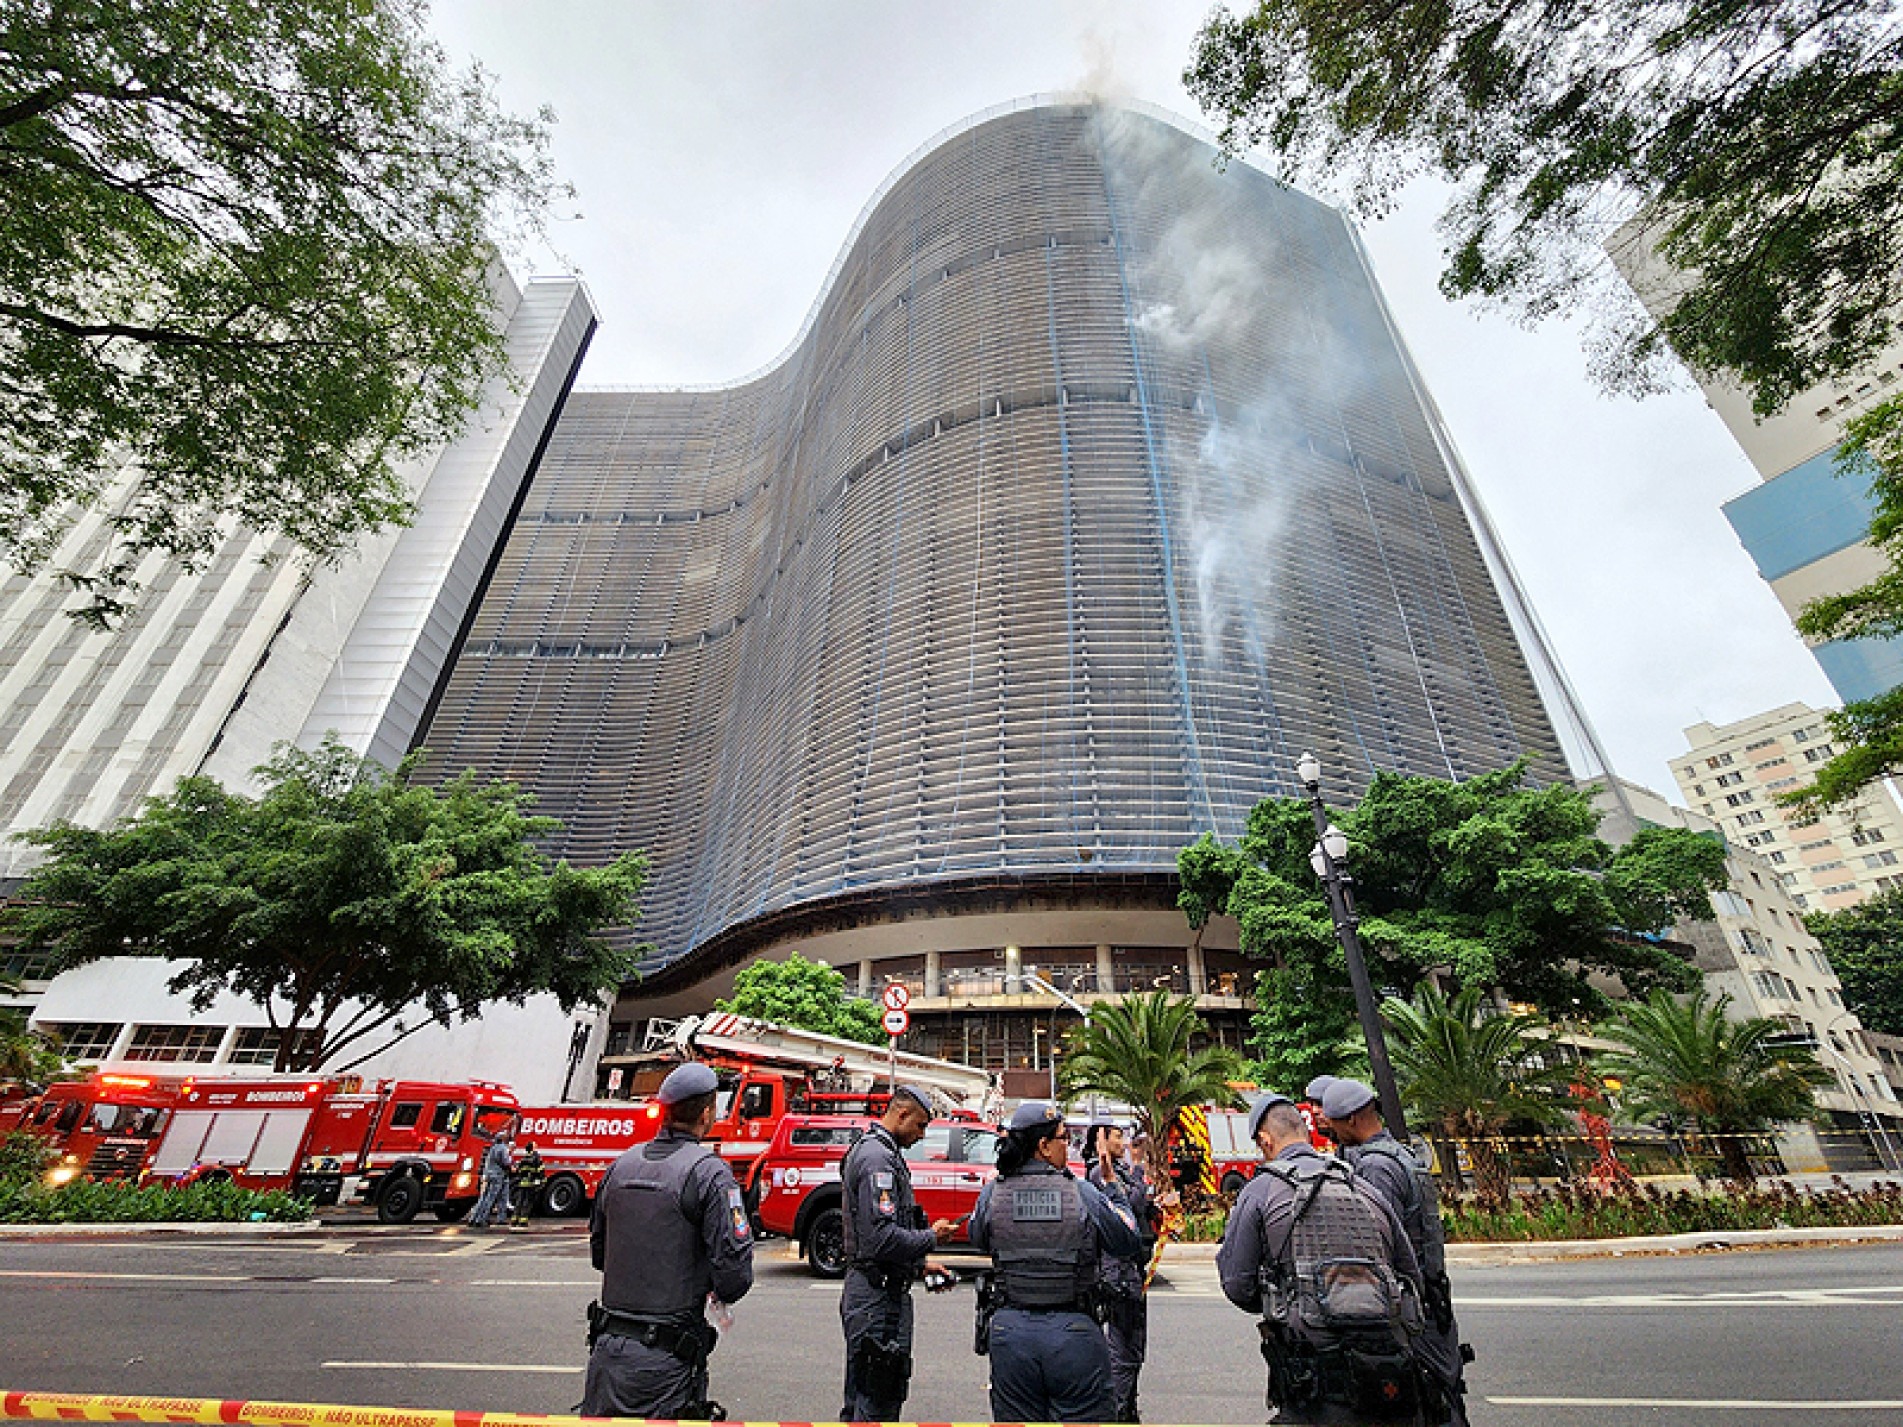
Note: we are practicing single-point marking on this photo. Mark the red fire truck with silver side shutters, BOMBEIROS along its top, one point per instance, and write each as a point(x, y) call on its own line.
point(410, 1144)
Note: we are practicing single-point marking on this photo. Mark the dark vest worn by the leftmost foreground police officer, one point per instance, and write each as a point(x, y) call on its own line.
point(656, 1262)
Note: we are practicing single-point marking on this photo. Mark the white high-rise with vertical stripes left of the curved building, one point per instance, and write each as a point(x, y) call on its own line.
point(218, 667)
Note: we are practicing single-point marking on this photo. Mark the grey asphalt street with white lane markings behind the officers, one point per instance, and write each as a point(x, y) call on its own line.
point(467, 1319)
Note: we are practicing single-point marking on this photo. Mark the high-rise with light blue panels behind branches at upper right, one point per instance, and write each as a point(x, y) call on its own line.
point(1807, 526)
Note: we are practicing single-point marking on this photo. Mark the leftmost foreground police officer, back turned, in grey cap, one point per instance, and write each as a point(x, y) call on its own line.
point(669, 1230)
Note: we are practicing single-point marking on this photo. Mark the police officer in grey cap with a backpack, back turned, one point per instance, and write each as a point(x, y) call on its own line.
point(1324, 1261)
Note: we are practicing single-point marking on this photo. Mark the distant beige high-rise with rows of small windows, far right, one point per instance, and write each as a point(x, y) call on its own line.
point(1830, 861)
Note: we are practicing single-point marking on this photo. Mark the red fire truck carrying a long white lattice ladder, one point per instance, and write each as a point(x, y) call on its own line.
point(766, 1072)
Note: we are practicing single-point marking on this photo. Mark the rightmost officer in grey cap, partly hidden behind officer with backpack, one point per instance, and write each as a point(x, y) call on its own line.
point(1354, 1118)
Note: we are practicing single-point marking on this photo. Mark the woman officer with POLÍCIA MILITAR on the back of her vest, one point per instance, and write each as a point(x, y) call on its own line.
point(1048, 1236)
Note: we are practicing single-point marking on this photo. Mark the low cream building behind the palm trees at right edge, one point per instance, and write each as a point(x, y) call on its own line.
point(1757, 952)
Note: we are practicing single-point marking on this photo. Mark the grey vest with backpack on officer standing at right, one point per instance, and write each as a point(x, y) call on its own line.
point(1335, 1280)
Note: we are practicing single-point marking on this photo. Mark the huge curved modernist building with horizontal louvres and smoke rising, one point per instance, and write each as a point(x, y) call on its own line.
point(1095, 492)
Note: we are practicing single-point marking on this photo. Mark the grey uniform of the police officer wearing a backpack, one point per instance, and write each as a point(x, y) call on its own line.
point(1261, 1236)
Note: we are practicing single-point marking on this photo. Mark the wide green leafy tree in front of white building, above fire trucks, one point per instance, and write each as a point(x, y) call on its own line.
point(345, 901)
